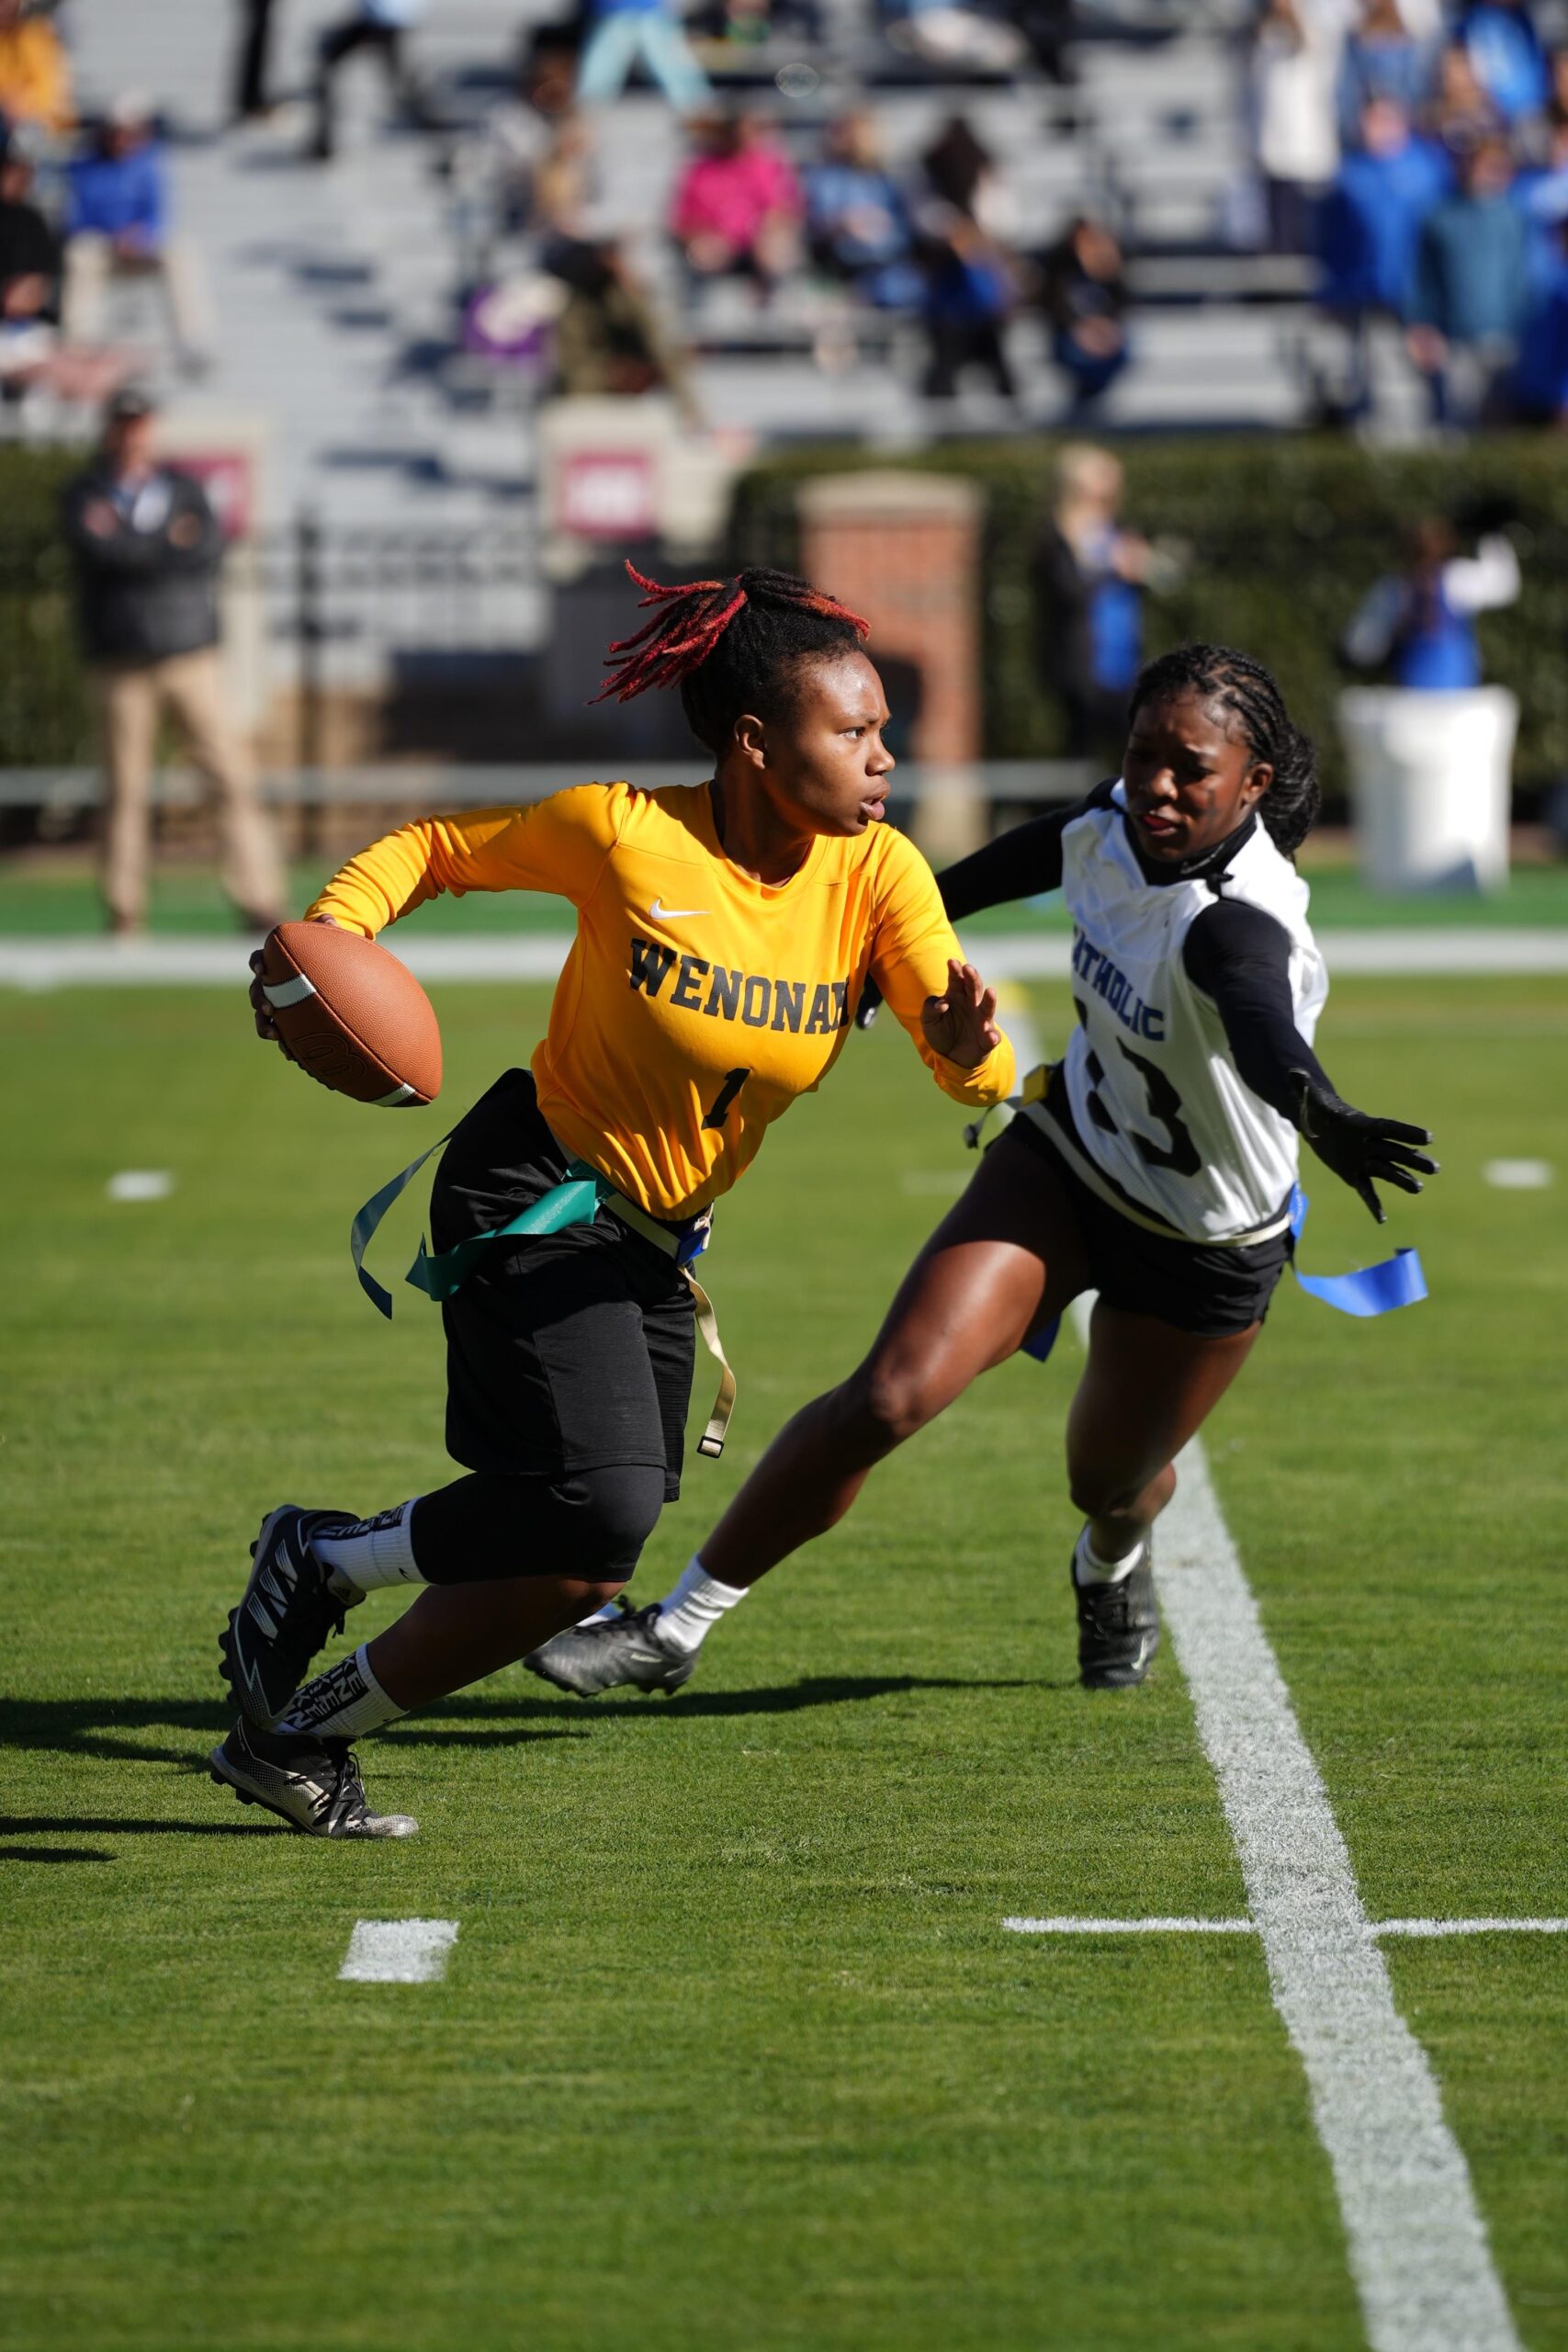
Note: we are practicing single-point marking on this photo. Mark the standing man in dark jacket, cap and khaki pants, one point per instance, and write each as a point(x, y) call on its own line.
point(149, 552)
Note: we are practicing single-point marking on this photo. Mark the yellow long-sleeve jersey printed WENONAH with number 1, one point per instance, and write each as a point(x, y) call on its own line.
point(697, 1003)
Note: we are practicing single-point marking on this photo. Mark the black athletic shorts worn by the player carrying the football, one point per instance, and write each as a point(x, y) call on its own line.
point(568, 1351)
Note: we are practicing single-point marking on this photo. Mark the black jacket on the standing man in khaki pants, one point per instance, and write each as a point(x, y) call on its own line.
point(145, 596)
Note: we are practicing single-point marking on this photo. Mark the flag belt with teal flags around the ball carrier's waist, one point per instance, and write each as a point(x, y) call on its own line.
point(577, 1201)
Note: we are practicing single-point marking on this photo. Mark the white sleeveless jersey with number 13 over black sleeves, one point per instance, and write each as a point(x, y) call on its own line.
point(1170, 1128)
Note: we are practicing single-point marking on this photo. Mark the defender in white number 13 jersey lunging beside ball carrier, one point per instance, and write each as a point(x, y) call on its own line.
point(1153, 1165)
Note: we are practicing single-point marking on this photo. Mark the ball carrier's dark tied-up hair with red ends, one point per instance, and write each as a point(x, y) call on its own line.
point(730, 646)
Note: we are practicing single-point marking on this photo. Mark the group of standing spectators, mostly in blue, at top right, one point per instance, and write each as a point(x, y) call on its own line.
point(1421, 154)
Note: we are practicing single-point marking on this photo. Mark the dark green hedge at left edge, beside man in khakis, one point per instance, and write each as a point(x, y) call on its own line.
point(43, 695)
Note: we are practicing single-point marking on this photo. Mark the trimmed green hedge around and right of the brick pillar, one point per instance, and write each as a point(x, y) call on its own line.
point(1285, 537)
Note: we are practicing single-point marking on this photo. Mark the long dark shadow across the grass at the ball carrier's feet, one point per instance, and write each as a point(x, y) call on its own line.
point(98, 1728)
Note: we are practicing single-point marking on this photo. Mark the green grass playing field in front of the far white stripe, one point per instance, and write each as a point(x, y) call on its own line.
point(732, 2052)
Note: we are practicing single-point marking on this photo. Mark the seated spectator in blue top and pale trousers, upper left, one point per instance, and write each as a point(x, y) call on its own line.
point(119, 227)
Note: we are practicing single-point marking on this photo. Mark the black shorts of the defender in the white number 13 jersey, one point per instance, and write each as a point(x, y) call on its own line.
point(1209, 1292)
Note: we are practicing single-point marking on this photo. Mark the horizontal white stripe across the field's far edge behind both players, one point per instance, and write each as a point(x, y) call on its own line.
point(1003, 956)
